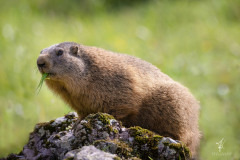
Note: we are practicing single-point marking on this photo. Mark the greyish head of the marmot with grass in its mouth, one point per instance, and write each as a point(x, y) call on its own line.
point(62, 62)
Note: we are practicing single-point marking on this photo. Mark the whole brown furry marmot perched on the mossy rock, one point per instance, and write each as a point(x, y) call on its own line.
point(92, 80)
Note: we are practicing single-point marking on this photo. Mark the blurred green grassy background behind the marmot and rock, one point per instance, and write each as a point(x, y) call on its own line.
point(195, 42)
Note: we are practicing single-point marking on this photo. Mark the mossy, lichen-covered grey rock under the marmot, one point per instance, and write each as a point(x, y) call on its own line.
point(98, 136)
